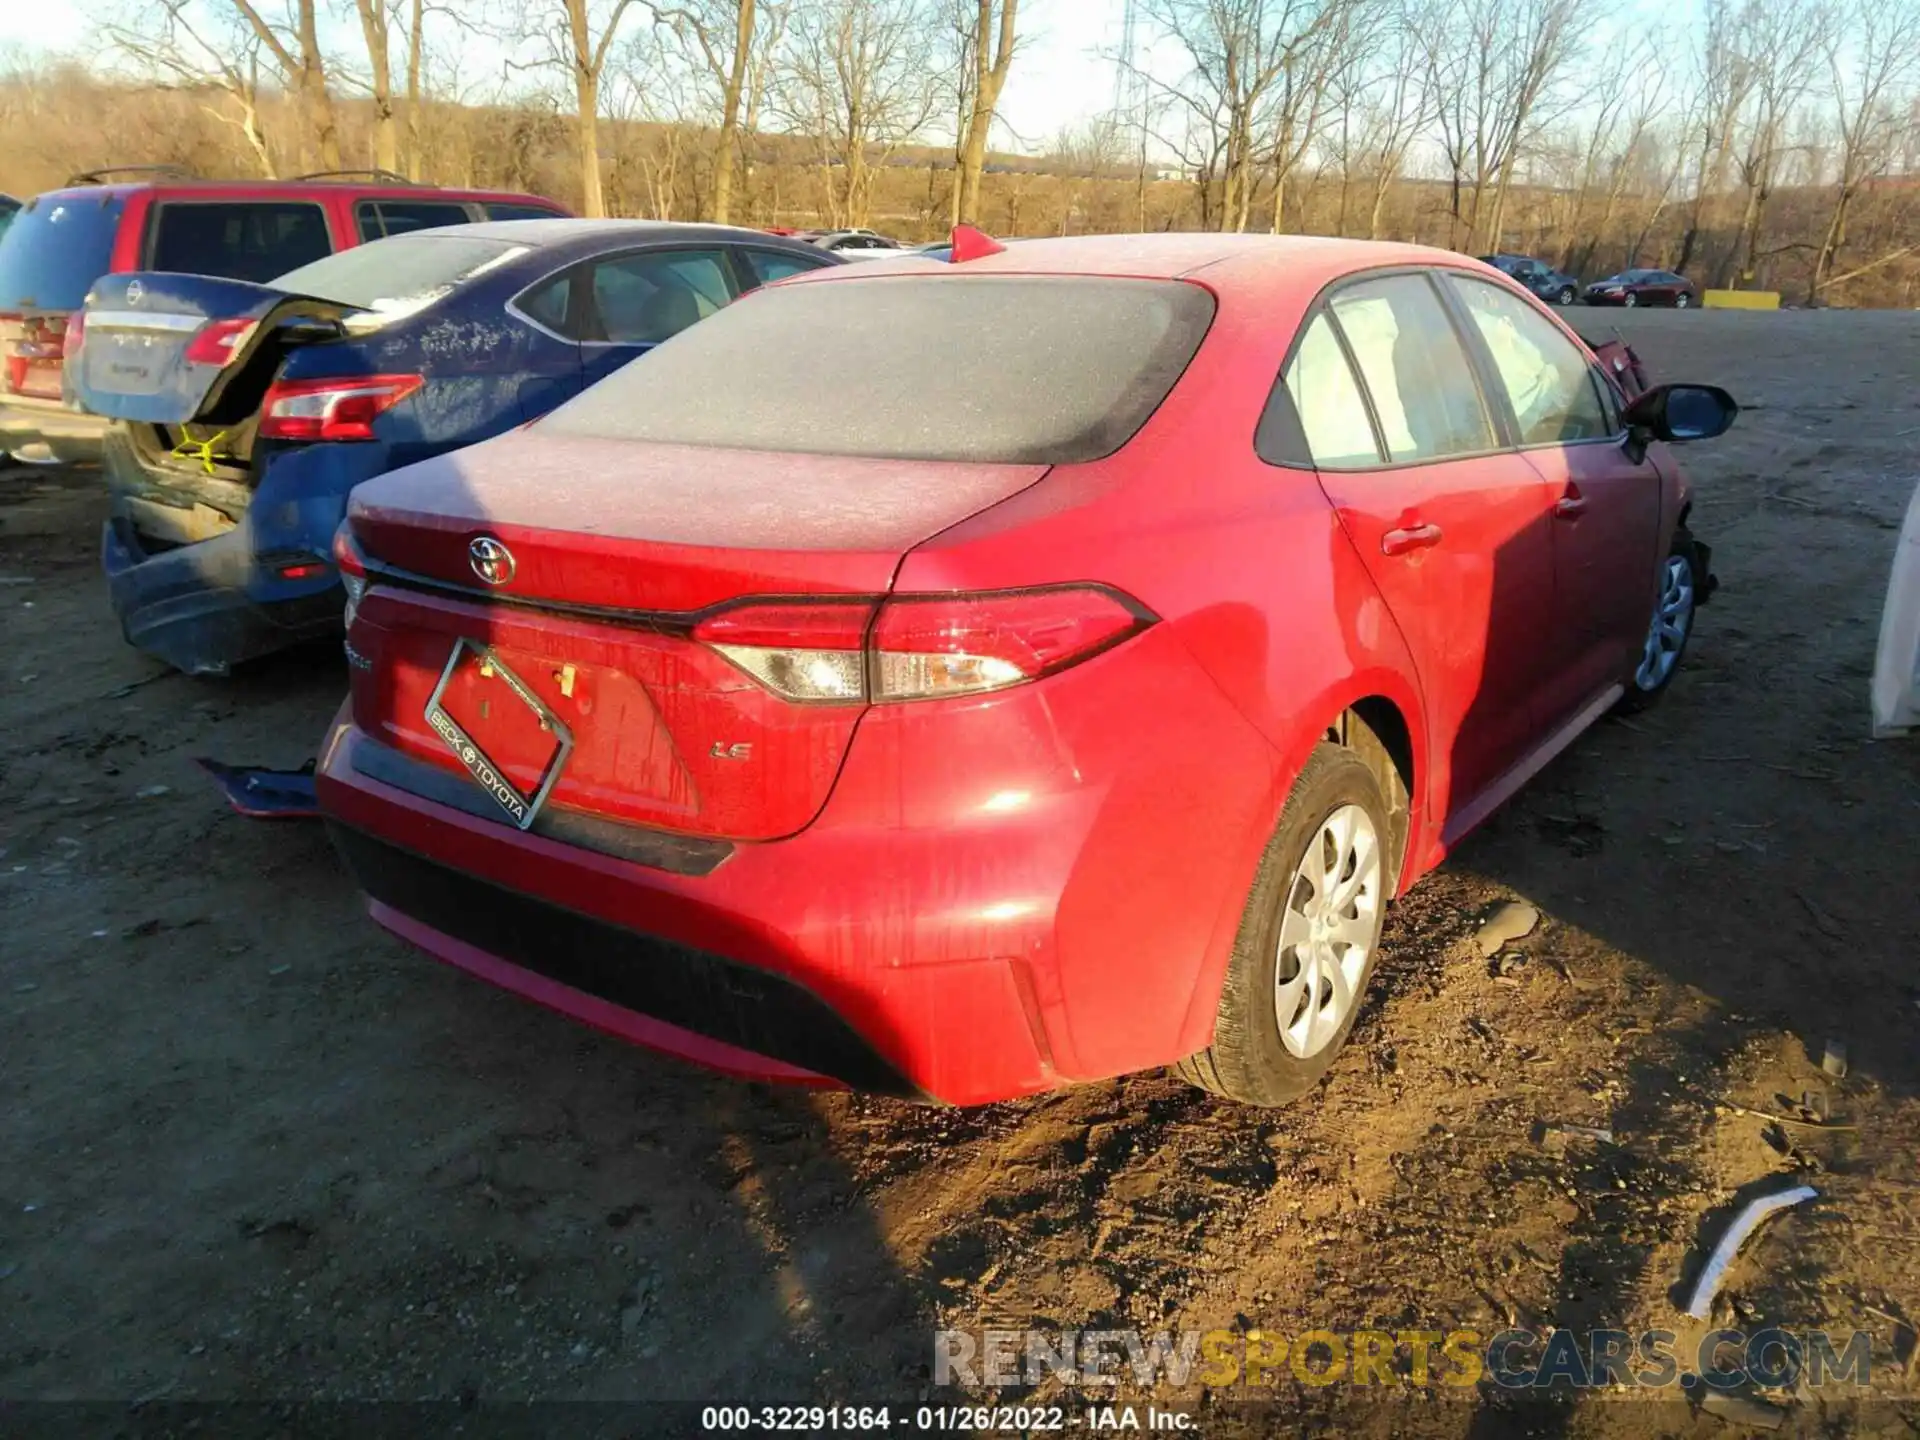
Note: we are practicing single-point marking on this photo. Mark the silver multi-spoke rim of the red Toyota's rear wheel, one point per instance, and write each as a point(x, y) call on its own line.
point(1330, 930)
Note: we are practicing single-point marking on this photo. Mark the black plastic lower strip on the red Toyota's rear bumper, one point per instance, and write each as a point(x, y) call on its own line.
point(698, 992)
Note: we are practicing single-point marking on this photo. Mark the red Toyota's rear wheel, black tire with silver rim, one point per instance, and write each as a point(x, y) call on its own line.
point(1251, 1059)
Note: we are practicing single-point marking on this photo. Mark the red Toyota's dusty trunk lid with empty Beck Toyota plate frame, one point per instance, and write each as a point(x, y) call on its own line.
point(602, 558)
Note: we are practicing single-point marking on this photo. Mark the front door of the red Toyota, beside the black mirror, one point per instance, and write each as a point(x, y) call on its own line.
point(1606, 506)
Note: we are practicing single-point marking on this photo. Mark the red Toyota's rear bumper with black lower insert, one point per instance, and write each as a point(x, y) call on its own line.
point(997, 898)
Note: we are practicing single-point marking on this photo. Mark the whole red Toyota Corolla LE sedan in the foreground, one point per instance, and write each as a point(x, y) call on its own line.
point(1051, 677)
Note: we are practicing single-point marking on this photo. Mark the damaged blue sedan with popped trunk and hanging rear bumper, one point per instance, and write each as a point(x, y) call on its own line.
point(245, 414)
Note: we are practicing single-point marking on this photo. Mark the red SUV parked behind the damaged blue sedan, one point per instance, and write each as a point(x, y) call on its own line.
point(64, 241)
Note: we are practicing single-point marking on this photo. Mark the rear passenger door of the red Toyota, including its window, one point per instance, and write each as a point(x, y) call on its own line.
point(1449, 521)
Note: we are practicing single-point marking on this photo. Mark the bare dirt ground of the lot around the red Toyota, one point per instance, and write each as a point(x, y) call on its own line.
point(252, 1149)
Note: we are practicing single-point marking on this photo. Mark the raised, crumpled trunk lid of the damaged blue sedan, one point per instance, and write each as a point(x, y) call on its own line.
point(172, 350)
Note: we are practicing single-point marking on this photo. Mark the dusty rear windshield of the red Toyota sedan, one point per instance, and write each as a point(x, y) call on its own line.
point(997, 370)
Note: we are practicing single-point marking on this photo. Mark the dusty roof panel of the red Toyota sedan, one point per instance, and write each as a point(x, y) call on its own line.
point(1174, 256)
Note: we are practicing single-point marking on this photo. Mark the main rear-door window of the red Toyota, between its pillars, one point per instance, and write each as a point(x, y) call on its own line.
point(1416, 370)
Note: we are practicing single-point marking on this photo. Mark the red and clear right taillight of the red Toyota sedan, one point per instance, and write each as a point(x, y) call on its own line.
point(921, 646)
